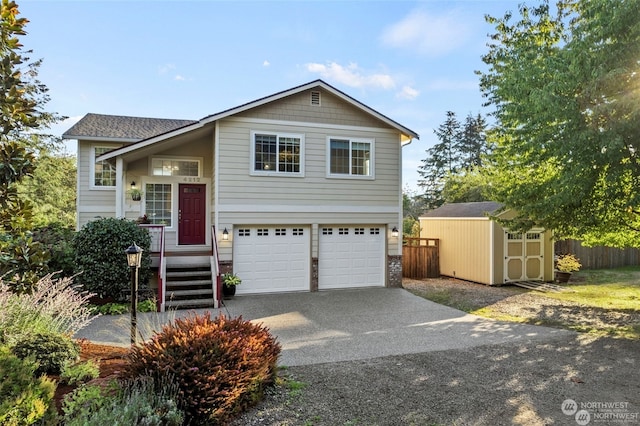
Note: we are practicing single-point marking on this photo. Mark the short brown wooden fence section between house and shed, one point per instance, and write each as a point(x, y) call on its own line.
point(420, 258)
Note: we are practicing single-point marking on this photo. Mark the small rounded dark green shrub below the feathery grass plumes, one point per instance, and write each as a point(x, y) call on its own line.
point(50, 351)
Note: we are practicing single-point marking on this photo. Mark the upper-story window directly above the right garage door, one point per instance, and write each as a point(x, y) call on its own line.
point(349, 157)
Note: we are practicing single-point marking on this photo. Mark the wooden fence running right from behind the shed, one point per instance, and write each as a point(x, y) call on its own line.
point(599, 257)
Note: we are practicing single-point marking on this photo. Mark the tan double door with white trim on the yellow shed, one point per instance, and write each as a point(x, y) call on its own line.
point(524, 256)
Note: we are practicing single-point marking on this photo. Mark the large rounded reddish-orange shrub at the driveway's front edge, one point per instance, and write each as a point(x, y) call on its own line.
point(220, 366)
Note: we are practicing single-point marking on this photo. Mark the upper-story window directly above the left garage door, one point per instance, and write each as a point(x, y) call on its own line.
point(277, 153)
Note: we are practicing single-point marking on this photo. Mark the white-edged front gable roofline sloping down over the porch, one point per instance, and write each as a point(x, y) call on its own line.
point(407, 133)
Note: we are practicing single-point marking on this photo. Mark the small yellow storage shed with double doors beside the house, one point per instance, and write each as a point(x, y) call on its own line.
point(474, 247)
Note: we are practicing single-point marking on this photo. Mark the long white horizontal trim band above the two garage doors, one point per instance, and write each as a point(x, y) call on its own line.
point(282, 208)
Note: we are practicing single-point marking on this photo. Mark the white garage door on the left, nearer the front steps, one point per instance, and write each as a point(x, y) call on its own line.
point(271, 259)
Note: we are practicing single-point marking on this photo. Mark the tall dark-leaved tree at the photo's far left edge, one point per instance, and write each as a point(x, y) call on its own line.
point(22, 97)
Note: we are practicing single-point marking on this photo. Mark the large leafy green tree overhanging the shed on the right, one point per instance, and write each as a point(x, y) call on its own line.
point(565, 84)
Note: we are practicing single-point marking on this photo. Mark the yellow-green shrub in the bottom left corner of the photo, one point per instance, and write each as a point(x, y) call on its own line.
point(24, 398)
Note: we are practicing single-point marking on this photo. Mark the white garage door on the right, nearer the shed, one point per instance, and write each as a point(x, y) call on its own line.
point(351, 256)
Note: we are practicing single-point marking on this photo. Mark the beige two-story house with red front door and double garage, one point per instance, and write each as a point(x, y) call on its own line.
point(296, 191)
